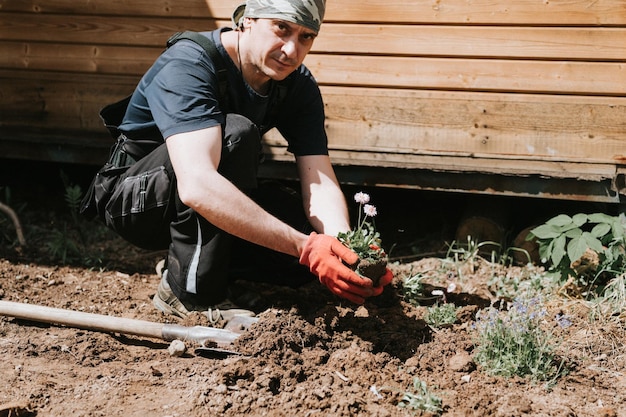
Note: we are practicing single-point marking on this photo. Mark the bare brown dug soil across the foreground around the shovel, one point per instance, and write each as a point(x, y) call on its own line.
point(309, 354)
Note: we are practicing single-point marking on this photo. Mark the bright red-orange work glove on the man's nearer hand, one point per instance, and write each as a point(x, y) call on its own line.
point(323, 255)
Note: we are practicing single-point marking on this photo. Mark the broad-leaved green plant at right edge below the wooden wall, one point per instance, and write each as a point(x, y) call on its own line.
point(564, 240)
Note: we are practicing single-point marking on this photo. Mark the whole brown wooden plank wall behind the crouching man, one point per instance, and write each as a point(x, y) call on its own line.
point(527, 96)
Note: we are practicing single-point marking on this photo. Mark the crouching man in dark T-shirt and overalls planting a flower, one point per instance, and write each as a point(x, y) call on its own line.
point(197, 191)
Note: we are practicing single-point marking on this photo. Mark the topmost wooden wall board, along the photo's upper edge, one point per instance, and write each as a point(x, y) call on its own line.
point(514, 12)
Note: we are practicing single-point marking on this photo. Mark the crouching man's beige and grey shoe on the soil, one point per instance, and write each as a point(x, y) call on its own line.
point(165, 301)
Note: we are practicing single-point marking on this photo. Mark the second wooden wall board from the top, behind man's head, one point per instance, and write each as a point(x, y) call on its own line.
point(514, 42)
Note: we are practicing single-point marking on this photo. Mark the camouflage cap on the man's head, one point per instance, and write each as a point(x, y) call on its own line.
point(307, 13)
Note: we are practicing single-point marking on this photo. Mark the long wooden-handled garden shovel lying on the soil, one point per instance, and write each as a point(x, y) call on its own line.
point(103, 323)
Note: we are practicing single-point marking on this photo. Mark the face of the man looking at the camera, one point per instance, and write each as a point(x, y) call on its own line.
point(278, 47)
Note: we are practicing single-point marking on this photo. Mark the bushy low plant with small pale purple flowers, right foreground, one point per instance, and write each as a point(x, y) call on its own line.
point(513, 343)
